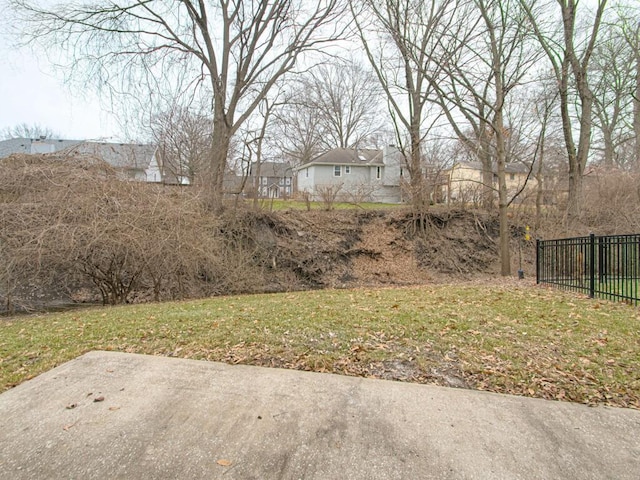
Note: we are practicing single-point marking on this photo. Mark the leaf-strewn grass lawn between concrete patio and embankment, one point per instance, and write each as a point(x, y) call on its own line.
point(521, 339)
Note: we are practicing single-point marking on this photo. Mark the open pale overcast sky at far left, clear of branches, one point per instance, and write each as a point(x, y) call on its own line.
point(32, 93)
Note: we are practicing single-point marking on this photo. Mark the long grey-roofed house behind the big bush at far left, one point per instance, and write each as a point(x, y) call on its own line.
point(131, 161)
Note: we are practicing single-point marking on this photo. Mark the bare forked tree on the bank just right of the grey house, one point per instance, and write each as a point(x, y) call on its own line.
point(401, 41)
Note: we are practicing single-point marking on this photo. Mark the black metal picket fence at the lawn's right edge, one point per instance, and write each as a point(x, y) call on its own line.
point(599, 266)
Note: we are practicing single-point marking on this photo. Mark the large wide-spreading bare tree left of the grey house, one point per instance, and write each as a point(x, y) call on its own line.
point(233, 49)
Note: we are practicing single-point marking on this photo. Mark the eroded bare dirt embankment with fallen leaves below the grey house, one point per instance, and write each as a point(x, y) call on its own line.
point(369, 248)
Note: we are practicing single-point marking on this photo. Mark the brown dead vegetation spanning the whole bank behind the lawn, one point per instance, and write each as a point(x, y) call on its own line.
point(71, 231)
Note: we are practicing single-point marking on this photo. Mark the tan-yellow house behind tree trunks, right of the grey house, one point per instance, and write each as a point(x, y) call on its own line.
point(463, 181)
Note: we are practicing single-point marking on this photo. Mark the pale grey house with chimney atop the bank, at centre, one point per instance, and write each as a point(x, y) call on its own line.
point(356, 175)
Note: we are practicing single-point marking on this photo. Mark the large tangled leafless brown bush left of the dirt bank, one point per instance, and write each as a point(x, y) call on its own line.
point(68, 223)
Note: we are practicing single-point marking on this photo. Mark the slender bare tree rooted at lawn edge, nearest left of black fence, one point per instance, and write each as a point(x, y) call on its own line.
point(491, 61)
